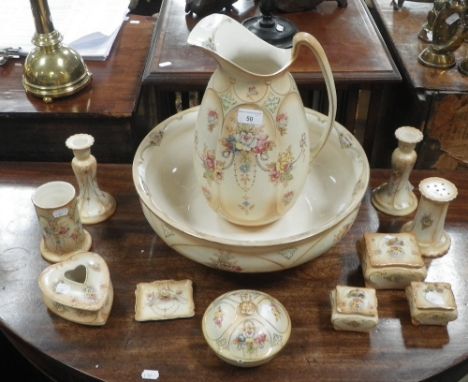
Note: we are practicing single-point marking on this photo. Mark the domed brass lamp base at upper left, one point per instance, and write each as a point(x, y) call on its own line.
point(52, 70)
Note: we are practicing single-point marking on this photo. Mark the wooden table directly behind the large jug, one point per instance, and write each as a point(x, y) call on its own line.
point(357, 53)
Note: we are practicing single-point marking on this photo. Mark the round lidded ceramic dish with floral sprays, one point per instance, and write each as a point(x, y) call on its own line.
point(246, 327)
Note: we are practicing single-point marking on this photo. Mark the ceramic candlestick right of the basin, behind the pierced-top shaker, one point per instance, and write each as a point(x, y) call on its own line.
point(396, 197)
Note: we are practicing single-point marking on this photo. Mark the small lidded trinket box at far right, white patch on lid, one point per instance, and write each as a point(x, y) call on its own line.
point(431, 303)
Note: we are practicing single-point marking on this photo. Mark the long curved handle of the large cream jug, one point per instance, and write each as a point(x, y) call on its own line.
point(304, 38)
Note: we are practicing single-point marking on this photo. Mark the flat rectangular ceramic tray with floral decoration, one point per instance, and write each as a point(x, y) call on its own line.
point(164, 300)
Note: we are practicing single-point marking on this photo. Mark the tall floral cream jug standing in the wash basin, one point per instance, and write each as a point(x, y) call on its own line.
point(251, 147)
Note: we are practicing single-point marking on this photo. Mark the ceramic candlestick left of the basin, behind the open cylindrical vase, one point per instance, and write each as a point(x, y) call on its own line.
point(94, 205)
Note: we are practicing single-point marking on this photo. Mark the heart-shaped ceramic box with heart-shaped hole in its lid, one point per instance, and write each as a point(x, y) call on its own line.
point(78, 289)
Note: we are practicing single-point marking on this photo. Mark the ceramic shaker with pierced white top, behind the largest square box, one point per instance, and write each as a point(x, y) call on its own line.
point(428, 224)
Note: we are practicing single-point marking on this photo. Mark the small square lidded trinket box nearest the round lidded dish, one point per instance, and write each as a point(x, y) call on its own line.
point(354, 308)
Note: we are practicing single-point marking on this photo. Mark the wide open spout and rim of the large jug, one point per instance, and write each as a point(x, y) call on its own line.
point(237, 49)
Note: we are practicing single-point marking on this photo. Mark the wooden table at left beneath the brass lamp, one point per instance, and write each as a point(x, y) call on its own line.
point(33, 130)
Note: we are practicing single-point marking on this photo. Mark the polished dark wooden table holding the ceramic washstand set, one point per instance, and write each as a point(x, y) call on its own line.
point(122, 348)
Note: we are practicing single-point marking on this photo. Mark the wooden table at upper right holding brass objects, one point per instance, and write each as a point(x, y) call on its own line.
point(434, 100)
